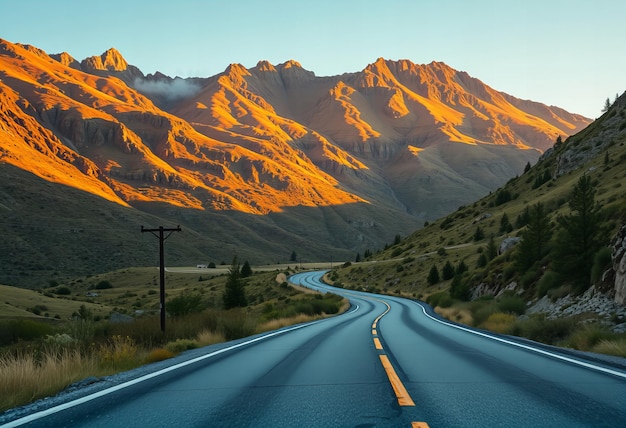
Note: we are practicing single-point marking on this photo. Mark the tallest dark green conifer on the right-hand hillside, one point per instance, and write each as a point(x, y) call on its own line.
point(579, 235)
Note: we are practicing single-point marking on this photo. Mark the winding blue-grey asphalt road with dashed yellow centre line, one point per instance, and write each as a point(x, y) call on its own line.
point(387, 362)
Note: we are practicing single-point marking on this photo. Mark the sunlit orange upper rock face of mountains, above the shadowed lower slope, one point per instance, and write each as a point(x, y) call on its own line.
point(415, 140)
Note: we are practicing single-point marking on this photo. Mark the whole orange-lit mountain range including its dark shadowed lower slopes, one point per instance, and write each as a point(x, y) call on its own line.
point(259, 162)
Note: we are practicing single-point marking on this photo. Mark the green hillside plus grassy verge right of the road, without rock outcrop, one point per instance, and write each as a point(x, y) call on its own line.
point(542, 235)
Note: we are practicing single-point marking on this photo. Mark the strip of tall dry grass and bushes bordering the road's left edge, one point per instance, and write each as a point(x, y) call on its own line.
point(84, 348)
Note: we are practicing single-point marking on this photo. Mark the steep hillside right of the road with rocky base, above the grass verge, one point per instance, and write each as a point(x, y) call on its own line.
point(597, 153)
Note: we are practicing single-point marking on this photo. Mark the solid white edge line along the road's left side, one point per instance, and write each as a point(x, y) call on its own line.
point(70, 404)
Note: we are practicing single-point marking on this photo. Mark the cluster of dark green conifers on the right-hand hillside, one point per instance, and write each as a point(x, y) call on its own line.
point(570, 244)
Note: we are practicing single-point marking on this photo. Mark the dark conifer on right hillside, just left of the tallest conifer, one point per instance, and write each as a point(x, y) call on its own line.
point(535, 238)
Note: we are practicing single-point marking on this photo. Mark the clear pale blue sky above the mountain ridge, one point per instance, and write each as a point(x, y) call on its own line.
point(565, 53)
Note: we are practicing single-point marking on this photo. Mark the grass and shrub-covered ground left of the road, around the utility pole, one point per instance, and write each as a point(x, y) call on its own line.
point(110, 323)
